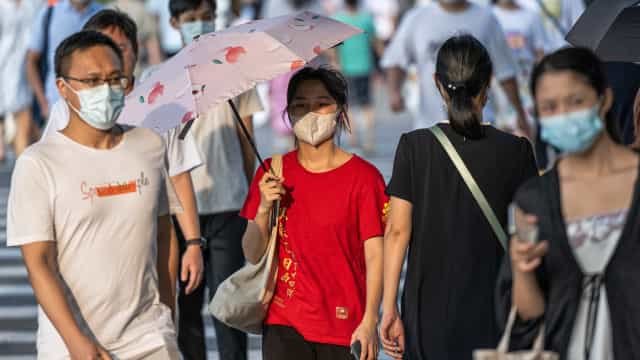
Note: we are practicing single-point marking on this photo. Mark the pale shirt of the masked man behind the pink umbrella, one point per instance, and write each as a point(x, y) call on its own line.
point(220, 183)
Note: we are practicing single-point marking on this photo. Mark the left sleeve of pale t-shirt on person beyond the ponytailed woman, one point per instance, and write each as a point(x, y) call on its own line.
point(400, 51)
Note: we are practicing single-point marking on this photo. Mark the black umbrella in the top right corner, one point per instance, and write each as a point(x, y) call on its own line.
point(611, 28)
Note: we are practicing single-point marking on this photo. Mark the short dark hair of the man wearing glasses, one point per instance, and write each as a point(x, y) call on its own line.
point(80, 41)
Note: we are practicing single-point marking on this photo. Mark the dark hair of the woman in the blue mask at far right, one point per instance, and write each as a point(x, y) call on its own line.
point(585, 63)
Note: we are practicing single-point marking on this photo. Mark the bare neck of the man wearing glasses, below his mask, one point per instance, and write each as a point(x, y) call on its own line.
point(84, 134)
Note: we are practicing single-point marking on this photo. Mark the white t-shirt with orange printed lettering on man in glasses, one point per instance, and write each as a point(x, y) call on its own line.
point(101, 208)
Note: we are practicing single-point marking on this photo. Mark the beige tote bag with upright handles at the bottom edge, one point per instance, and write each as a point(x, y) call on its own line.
point(502, 352)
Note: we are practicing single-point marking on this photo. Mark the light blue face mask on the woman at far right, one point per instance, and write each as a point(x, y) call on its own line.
point(572, 132)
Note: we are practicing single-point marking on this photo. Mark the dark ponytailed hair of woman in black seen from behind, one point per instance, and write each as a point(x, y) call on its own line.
point(464, 69)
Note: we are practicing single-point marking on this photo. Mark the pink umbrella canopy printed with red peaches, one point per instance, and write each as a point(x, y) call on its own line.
point(218, 66)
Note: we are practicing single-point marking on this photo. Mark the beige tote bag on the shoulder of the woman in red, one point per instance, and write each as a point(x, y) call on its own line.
point(242, 300)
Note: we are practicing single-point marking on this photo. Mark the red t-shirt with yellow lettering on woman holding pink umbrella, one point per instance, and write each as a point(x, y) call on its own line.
point(321, 288)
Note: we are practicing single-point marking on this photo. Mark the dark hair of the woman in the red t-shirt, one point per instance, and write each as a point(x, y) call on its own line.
point(333, 81)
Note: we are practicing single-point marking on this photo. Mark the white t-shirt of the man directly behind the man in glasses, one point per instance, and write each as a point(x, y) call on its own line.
point(182, 155)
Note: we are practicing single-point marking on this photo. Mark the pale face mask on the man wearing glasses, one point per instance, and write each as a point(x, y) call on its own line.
point(99, 106)
